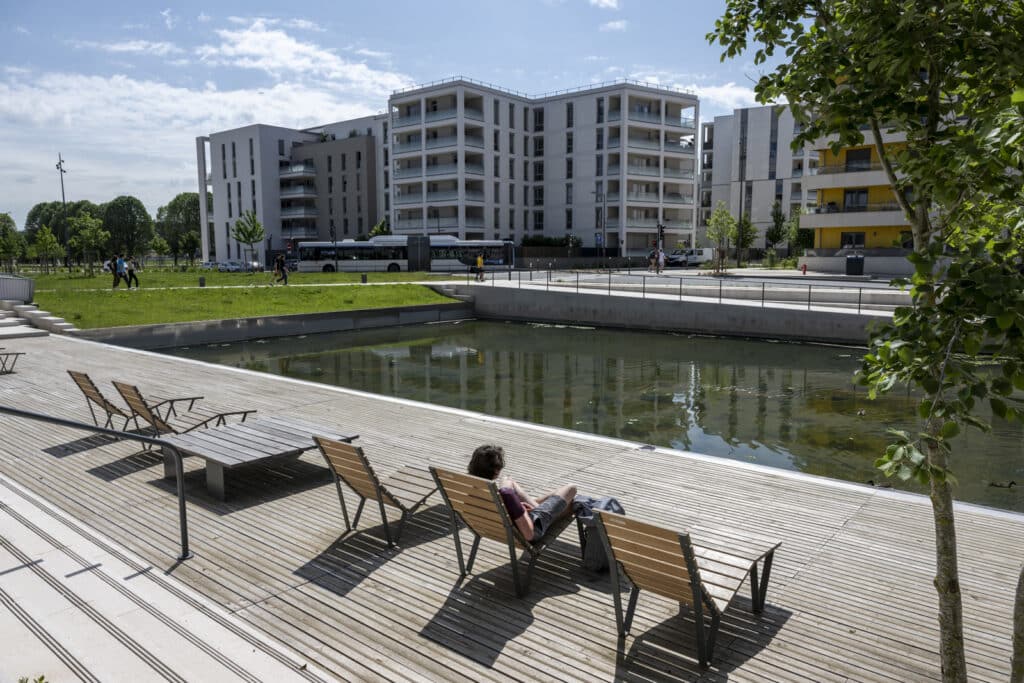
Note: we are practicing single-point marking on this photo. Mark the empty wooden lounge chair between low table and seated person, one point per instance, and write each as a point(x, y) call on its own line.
point(407, 490)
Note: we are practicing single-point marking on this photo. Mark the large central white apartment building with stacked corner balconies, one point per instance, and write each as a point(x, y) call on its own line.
point(606, 163)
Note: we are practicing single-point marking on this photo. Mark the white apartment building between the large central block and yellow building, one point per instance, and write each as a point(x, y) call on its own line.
point(747, 161)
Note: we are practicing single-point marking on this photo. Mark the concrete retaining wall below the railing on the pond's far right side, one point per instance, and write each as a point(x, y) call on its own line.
point(690, 317)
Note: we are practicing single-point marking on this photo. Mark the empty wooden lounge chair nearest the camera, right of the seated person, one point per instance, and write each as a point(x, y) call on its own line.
point(666, 563)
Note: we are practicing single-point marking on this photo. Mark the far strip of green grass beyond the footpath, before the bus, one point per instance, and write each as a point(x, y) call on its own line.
point(63, 282)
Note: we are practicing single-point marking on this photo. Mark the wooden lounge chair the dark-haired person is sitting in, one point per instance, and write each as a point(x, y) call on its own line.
point(477, 503)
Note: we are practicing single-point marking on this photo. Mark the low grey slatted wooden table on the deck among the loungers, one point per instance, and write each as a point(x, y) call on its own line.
point(259, 440)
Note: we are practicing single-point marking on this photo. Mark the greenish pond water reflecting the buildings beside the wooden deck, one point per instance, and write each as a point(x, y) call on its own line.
point(788, 406)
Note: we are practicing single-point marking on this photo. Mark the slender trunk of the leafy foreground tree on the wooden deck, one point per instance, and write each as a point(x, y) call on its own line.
point(948, 573)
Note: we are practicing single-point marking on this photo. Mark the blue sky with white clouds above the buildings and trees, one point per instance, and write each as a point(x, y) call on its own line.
point(121, 91)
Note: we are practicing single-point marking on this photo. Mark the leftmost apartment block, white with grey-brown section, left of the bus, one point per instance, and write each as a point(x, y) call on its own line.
point(303, 185)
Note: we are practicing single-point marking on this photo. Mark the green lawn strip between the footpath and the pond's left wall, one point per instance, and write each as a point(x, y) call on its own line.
point(89, 309)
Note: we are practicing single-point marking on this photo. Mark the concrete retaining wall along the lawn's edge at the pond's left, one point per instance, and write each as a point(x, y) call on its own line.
point(215, 332)
